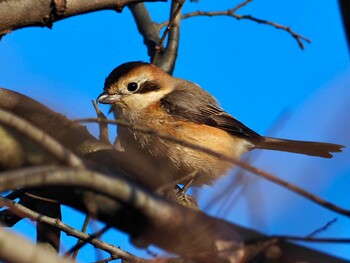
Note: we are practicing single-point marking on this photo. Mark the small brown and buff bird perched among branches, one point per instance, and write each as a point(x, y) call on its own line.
point(144, 95)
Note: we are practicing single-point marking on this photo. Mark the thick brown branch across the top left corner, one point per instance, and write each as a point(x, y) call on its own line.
point(44, 13)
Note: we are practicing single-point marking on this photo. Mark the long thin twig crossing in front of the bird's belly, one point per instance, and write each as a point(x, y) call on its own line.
point(229, 159)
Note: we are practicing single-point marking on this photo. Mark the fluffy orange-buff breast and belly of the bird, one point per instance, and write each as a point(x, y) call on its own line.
point(171, 147)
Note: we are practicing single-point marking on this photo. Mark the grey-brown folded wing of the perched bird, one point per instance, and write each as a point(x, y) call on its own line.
point(196, 105)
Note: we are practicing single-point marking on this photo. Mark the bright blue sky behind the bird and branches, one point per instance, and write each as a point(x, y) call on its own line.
point(255, 71)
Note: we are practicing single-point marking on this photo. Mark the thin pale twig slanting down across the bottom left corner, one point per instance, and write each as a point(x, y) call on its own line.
point(23, 211)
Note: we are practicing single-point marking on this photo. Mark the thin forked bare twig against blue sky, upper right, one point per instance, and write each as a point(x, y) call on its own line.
point(231, 13)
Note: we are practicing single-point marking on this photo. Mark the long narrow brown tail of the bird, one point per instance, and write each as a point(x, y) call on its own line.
point(310, 148)
